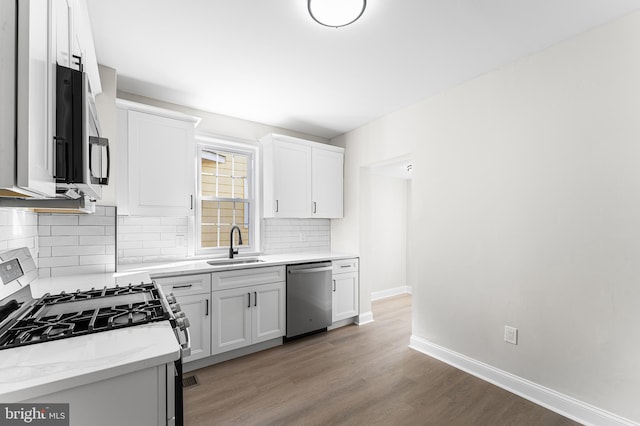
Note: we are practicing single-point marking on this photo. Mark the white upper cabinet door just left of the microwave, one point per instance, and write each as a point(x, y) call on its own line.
point(35, 103)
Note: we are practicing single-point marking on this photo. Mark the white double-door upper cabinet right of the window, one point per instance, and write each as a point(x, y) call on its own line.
point(301, 179)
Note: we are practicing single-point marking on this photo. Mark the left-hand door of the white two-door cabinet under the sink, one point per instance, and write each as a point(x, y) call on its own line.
point(231, 325)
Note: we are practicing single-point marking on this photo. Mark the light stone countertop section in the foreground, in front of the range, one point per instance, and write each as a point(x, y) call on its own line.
point(36, 370)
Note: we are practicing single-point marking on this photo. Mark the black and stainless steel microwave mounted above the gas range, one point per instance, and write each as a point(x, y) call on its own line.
point(82, 156)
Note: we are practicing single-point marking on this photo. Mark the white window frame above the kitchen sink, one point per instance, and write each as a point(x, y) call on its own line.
point(237, 146)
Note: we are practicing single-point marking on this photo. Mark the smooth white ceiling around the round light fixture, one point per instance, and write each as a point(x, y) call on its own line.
point(268, 61)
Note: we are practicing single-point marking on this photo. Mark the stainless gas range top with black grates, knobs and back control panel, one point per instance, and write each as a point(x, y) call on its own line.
point(25, 321)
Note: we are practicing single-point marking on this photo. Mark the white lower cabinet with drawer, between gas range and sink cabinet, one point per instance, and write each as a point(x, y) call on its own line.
point(193, 293)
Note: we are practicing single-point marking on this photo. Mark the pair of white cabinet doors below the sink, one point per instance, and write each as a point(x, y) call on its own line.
point(247, 315)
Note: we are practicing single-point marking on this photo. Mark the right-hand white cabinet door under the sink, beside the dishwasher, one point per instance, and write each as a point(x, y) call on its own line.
point(269, 319)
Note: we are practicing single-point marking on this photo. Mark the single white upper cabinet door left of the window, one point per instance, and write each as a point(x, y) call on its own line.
point(161, 165)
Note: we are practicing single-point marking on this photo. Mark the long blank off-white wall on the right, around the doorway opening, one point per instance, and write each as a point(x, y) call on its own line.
point(526, 211)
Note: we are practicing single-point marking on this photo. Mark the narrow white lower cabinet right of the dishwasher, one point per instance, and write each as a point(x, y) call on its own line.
point(345, 300)
